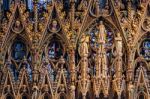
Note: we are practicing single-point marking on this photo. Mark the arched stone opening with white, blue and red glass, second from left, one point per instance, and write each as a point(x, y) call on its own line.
point(55, 48)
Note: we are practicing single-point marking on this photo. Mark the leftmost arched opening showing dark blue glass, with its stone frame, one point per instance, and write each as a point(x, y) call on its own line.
point(18, 54)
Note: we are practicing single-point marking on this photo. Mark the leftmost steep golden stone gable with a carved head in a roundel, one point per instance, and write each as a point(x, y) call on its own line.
point(13, 32)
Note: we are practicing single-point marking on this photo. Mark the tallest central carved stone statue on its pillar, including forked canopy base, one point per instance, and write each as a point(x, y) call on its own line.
point(101, 79)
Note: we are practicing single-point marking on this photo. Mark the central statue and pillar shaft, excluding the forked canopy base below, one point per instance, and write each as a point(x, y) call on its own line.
point(101, 53)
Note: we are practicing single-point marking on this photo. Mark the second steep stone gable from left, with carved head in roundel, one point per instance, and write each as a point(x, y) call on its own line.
point(54, 19)
